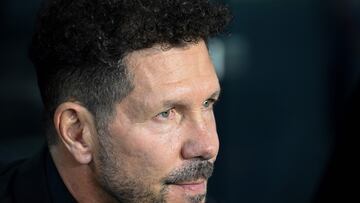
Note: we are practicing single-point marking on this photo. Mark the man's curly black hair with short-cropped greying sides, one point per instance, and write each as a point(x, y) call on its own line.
point(78, 45)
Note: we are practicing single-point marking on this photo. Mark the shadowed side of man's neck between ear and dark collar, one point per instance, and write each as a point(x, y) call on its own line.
point(78, 178)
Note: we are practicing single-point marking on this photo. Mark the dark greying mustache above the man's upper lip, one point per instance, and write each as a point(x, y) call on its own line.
point(192, 171)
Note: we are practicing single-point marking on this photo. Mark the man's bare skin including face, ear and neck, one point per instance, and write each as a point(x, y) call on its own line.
point(160, 133)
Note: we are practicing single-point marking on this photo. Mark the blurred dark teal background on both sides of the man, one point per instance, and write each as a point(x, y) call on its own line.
point(289, 113)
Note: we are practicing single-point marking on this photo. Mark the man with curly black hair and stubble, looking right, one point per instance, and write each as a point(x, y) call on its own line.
point(128, 89)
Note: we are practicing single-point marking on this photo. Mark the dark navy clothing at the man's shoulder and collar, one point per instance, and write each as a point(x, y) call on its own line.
point(33, 180)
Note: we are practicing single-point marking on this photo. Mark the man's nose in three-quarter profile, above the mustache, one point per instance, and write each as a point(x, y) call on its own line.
point(202, 141)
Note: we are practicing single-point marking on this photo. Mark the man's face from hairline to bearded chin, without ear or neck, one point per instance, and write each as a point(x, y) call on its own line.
point(162, 142)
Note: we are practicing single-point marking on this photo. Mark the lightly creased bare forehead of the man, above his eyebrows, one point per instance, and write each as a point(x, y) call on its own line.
point(154, 67)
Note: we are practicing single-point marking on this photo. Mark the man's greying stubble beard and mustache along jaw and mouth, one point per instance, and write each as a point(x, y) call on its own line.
point(126, 189)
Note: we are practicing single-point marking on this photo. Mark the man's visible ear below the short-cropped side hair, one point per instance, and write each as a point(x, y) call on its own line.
point(76, 130)
